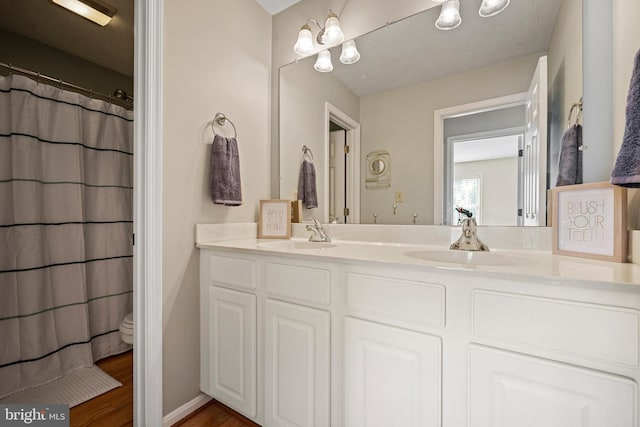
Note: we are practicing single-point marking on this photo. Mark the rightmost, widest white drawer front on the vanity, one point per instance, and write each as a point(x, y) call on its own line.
point(592, 331)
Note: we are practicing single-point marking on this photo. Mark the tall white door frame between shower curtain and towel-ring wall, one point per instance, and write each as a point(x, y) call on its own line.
point(147, 214)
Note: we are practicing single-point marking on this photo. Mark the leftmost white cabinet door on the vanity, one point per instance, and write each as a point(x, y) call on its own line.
point(232, 349)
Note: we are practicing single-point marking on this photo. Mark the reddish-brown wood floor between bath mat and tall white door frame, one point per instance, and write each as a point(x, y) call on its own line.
point(114, 408)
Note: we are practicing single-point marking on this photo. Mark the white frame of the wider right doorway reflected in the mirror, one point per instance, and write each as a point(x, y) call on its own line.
point(439, 143)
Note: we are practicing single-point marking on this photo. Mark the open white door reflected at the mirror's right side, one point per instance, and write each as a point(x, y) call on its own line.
point(535, 149)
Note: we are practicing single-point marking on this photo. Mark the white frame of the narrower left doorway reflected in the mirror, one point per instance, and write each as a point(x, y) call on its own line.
point(334, 114)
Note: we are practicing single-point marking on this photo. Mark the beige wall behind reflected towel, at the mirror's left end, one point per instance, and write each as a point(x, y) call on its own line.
point(304, 92)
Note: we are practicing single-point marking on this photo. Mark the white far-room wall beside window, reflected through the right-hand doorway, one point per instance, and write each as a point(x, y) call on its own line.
point(498, 189)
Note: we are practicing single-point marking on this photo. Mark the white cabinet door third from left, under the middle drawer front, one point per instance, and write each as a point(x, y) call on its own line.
point(392, 376)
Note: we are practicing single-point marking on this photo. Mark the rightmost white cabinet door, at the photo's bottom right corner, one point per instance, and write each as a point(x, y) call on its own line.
point(512, 390)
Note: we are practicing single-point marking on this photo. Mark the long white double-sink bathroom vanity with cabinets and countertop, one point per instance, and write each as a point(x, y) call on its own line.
point(373, 334)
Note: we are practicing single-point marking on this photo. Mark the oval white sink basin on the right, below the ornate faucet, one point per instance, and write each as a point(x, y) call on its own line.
point(471, 257)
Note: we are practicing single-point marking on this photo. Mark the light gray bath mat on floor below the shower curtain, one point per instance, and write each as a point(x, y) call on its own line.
point(74, 388)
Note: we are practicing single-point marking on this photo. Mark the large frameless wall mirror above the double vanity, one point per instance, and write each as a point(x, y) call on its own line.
point(414, 84)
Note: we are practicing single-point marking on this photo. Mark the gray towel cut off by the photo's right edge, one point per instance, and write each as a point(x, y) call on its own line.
point(626, 172)
